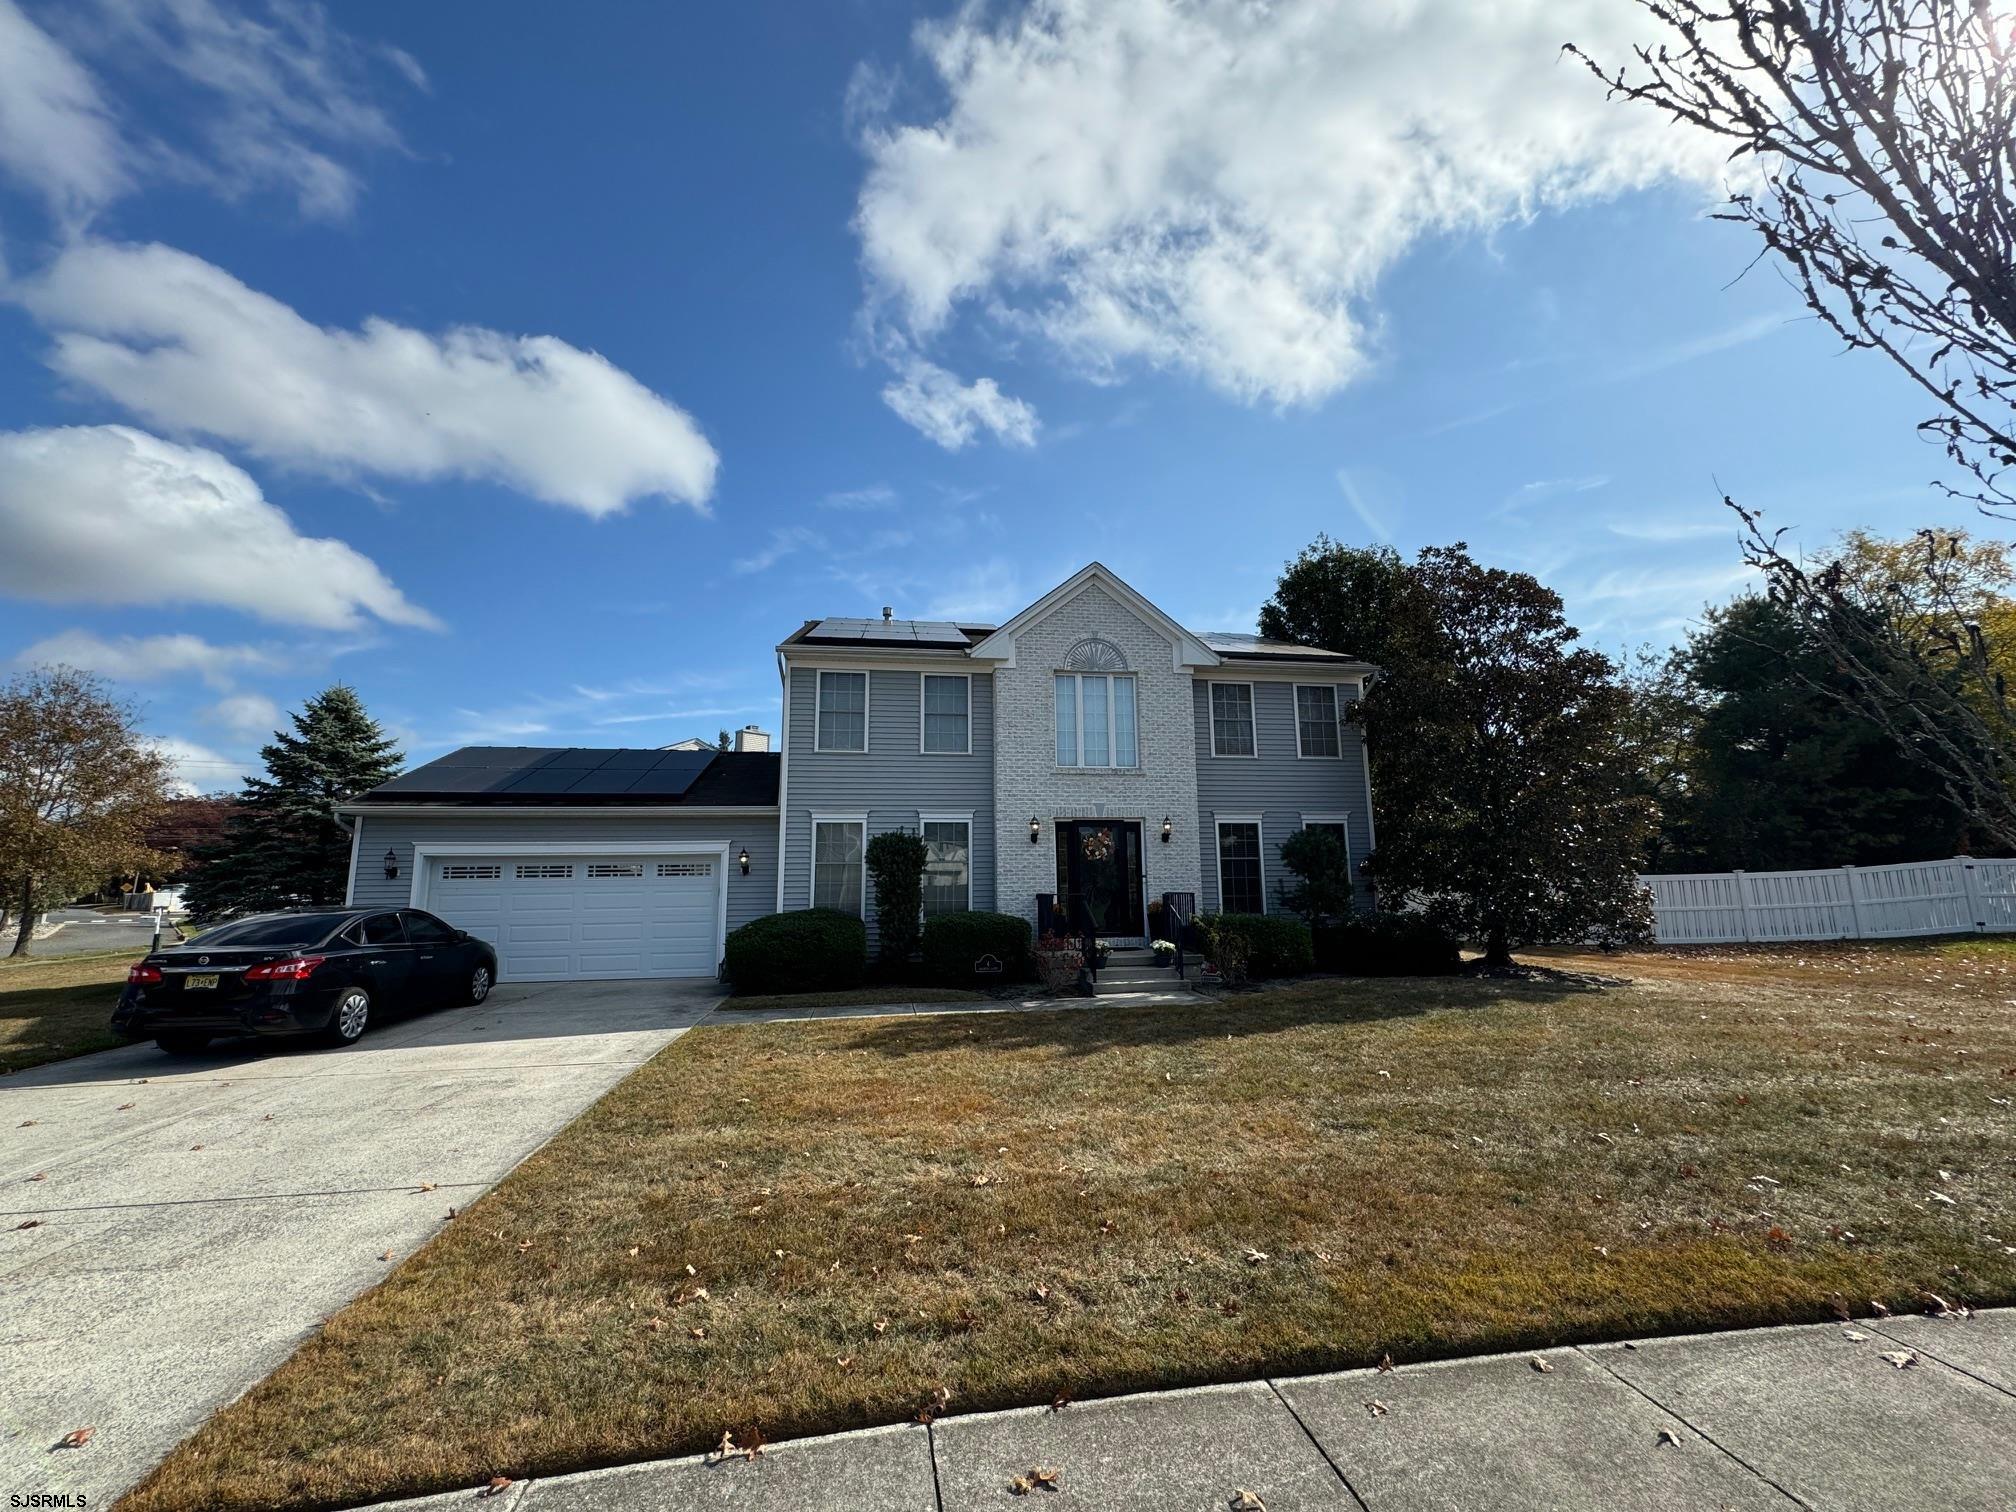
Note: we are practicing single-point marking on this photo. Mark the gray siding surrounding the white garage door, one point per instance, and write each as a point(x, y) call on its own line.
point(747, 896)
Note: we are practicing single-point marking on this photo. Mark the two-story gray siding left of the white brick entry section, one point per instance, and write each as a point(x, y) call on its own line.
point(892, 781)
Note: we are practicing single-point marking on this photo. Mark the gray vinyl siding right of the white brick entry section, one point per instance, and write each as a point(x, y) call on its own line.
point(1279, 785)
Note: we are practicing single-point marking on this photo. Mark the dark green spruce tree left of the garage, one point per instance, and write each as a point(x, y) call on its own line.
point(285, 846)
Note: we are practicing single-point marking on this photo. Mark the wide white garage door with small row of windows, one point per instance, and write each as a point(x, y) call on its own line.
point(568, 918)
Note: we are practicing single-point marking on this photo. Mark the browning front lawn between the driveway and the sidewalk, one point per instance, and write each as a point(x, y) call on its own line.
point(795, 1229)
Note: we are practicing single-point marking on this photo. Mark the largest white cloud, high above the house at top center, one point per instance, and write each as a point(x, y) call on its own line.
point(1219, 186)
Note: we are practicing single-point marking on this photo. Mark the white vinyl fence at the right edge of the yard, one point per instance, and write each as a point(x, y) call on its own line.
point(1918, 898)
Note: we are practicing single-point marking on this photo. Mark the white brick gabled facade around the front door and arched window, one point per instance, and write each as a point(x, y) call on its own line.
point(1029, 781)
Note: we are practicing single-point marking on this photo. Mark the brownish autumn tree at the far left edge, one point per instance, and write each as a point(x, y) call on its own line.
point(80, 789)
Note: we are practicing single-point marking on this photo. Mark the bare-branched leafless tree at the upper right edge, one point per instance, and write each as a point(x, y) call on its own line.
point(1874, 152)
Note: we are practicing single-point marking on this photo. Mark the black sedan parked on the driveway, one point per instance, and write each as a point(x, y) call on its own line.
point(318, 975)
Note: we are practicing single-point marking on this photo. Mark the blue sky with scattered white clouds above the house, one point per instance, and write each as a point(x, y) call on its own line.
point(537, 376)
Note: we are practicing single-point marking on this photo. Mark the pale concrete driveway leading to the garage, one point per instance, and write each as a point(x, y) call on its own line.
point(170, 1229)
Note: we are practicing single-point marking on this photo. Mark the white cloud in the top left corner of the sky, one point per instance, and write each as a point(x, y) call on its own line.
point(57, 134)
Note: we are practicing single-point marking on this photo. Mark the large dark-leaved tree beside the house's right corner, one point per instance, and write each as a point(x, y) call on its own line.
point(1509, 797)
